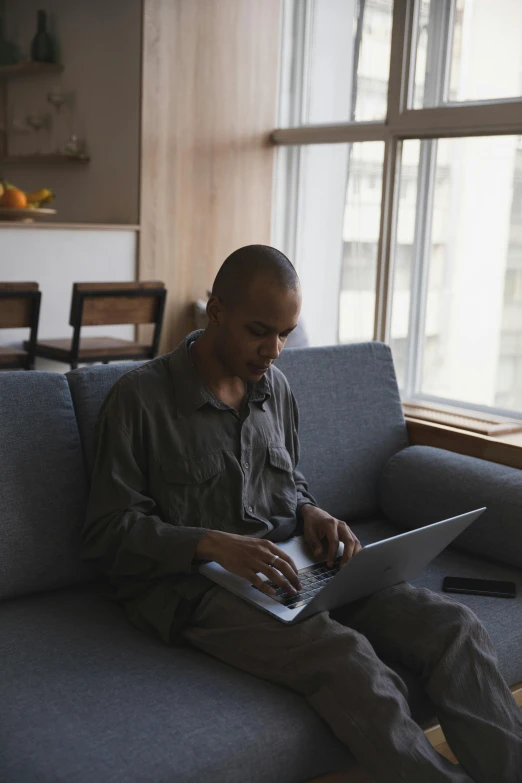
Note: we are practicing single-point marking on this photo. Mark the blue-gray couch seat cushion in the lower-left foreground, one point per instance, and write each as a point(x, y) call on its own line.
point(86, 697)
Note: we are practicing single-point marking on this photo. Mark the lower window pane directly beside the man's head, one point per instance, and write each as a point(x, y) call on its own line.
point(328, 200)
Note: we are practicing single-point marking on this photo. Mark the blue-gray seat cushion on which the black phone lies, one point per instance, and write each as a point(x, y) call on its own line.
point(502, 617)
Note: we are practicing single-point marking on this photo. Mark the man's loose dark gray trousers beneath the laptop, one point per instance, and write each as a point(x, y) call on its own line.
point(334, 664)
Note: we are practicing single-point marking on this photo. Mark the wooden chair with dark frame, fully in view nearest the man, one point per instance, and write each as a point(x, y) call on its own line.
point(95, 304)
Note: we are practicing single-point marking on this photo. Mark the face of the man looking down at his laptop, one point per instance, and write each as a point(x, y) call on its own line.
point(252, 334)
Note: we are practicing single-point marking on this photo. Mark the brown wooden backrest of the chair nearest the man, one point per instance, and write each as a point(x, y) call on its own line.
point(97, 304)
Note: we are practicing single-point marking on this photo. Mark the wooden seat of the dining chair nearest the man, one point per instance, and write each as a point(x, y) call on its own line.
point(92, 348)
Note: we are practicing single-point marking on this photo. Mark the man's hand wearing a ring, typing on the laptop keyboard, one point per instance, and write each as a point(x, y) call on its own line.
point(247, 557)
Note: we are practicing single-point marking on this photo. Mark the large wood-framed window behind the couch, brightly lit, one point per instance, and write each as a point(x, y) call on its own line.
point(398, 188)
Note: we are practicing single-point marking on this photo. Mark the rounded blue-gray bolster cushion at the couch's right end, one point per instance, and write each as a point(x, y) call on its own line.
point(423, 485)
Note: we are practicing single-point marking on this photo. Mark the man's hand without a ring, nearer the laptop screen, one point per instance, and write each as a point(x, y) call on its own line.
point(319, 524)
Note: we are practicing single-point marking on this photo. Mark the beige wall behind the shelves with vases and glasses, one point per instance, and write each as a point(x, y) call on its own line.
point(100, 48)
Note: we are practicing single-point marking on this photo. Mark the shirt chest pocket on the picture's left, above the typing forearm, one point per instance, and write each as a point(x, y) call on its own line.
point(194, 489)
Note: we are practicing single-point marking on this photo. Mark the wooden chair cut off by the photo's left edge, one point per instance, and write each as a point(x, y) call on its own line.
point(19, 307)
